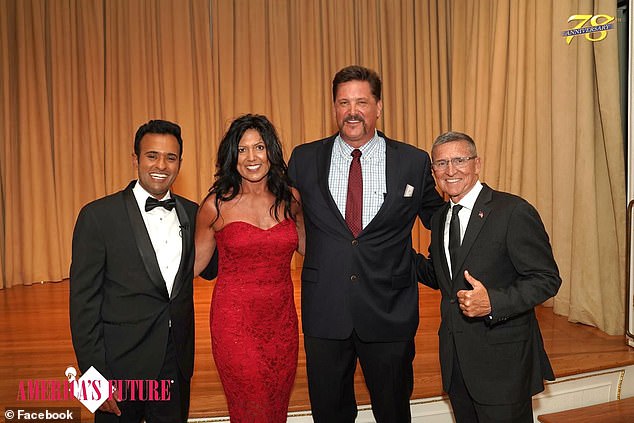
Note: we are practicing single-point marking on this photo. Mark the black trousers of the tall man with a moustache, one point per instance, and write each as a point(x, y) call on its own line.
point(387, 368)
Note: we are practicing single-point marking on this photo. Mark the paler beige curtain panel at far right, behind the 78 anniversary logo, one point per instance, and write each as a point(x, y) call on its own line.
point(588, 155)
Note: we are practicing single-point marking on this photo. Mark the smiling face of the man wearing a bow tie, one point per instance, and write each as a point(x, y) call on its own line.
point(158, 163)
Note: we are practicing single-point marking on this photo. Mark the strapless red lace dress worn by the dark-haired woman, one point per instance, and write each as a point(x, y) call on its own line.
point(253, 320)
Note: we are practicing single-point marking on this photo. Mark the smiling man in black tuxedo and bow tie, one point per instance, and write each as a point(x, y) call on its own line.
point(131, 304)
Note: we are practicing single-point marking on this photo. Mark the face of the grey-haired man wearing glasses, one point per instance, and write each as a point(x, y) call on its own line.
point(452, 180)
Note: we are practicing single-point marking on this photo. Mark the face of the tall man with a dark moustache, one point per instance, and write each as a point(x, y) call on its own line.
point(356, 112)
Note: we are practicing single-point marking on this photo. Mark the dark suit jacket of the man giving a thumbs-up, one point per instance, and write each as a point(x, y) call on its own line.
point(506, 247)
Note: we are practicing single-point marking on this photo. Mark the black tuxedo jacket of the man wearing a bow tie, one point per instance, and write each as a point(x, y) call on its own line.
point(120, 311)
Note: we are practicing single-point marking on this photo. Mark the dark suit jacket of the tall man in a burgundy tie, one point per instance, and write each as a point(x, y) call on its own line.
point(367, 283)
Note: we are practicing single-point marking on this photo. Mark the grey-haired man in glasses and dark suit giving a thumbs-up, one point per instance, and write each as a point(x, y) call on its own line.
point(491, 259)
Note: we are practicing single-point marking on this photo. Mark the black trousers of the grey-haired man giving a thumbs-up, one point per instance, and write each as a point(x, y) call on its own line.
point(467, 410)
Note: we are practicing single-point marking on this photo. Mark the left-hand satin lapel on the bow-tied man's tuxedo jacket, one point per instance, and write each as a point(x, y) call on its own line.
point(143, 242)
